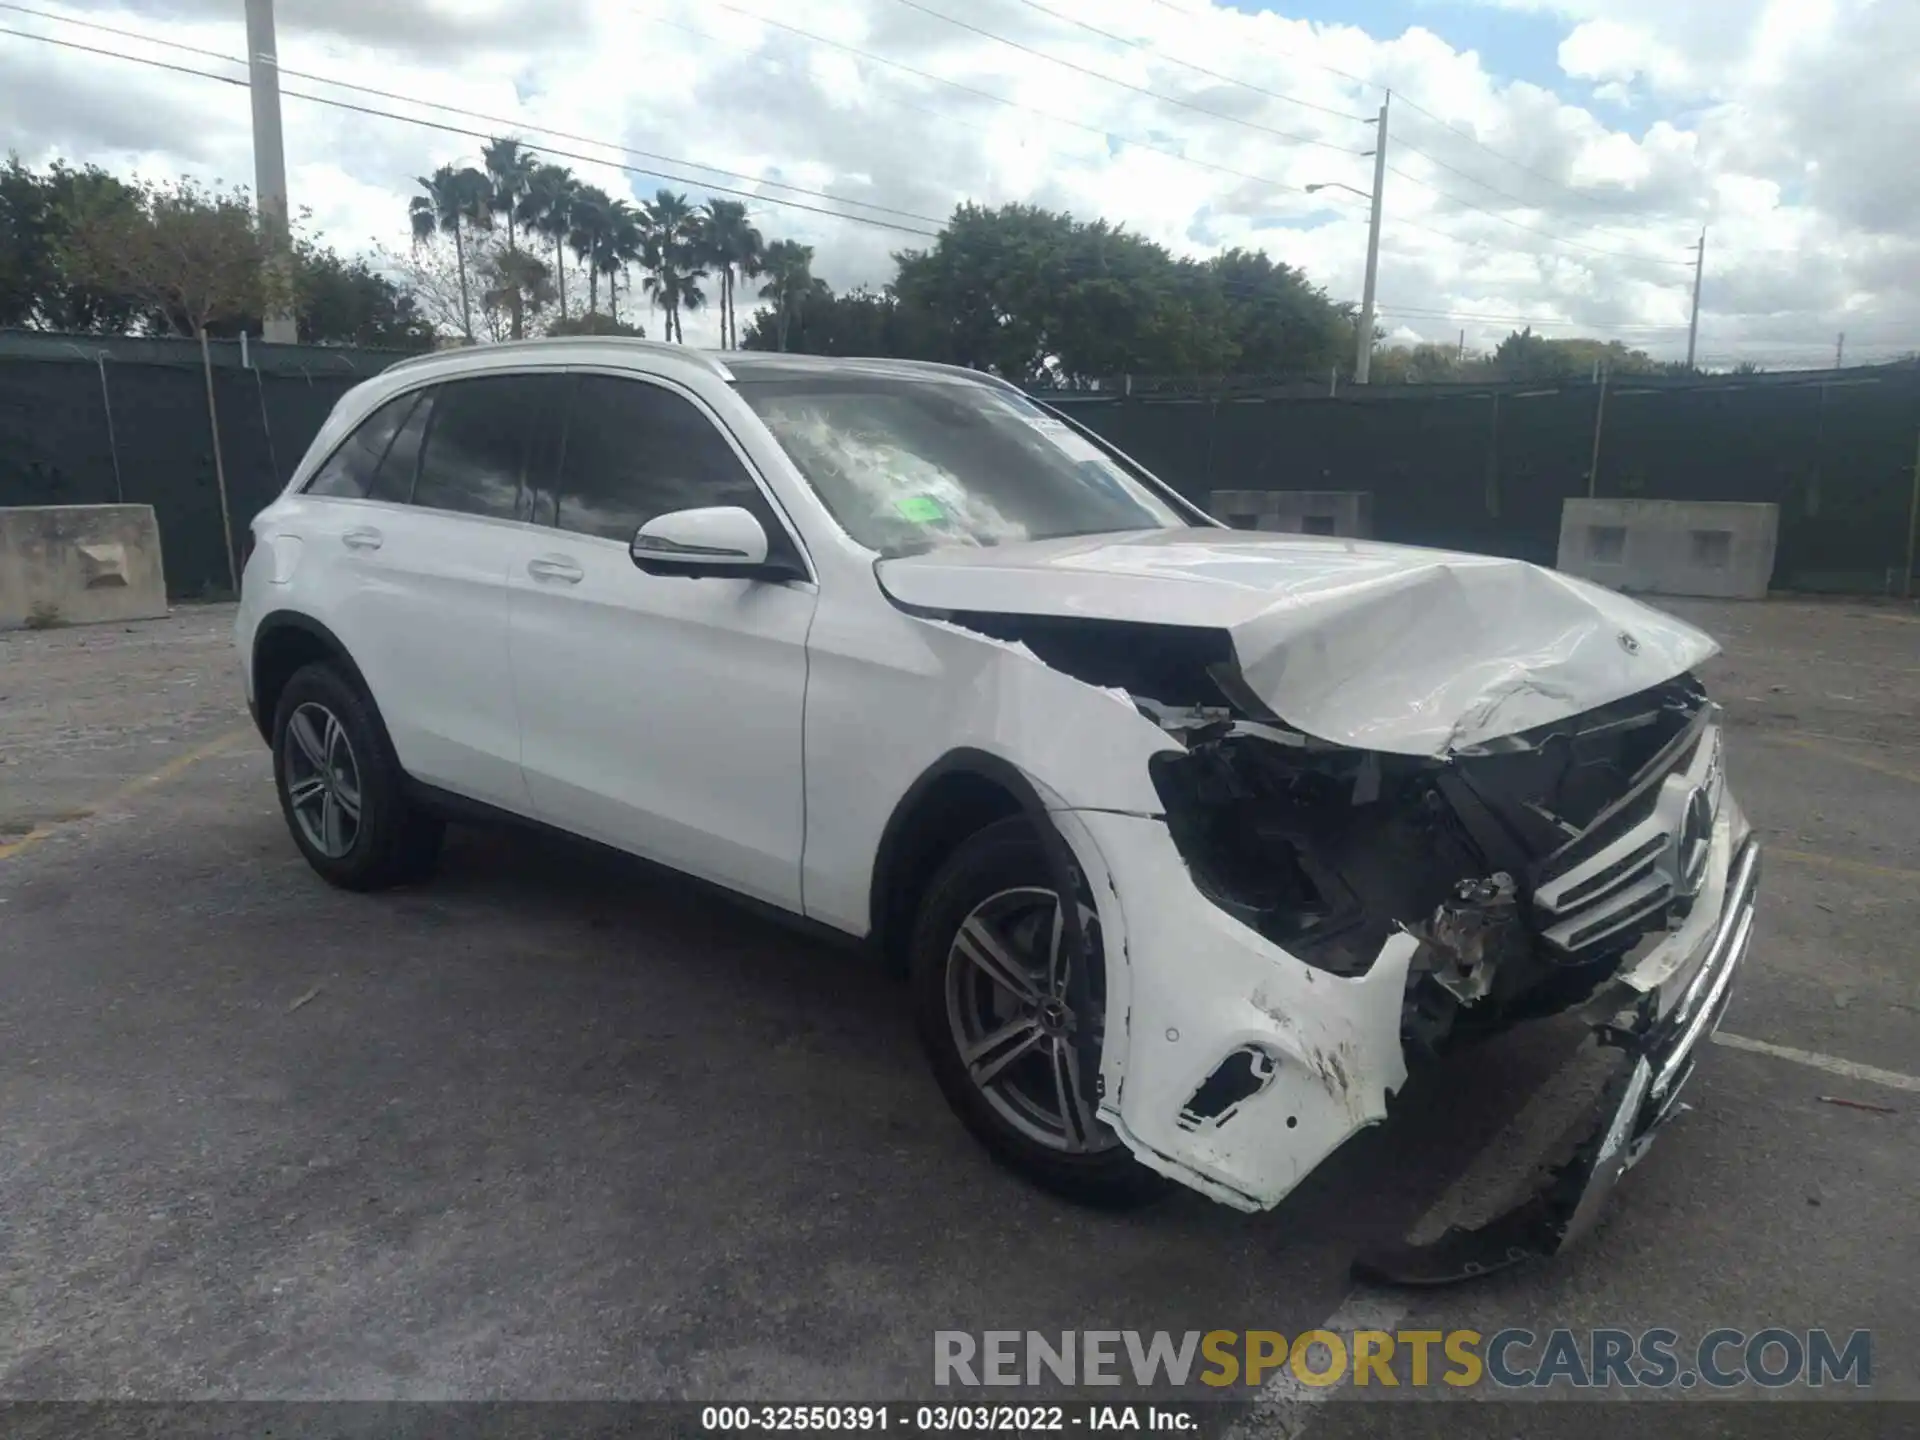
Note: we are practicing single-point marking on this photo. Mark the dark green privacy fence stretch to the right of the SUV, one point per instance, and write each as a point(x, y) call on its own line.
point(1487, 468)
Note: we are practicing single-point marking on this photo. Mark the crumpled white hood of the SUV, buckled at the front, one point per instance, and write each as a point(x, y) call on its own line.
point(1383, 648)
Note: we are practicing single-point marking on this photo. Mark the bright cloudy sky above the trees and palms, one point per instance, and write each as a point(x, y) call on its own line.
point(1548, 160)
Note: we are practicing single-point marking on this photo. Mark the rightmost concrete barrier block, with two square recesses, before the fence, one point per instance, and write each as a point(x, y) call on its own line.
point(1671, 546)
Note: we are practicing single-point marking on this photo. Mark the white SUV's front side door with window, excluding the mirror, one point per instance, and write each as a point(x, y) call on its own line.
point(660, 713)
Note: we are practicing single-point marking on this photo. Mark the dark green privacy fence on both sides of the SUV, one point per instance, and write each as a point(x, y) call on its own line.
point(1470, 468)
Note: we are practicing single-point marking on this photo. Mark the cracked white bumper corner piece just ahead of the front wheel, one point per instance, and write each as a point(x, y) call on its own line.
point(1308, 1057)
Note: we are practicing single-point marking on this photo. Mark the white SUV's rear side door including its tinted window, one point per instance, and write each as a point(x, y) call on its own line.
point(420, 579)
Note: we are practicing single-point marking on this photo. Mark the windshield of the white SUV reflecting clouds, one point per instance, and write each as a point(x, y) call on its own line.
point(909, 464)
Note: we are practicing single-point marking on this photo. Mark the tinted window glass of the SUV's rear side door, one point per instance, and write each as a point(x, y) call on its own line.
point(485, 444)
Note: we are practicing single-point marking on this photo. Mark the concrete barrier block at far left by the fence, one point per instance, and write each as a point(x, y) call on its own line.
point(80, 565)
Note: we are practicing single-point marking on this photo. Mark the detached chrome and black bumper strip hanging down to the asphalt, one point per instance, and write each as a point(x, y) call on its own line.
point(1660, 1044)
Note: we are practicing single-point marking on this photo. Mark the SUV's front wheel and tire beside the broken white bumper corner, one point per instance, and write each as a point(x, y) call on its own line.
point(999, 884)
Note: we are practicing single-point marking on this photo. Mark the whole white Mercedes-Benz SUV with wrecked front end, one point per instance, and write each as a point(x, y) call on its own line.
point(1189, 840)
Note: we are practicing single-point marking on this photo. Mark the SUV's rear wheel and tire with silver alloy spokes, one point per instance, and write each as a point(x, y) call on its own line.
point(341, 786)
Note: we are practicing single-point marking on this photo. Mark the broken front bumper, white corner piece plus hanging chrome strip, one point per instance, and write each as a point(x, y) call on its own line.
point(1237, 1068)
